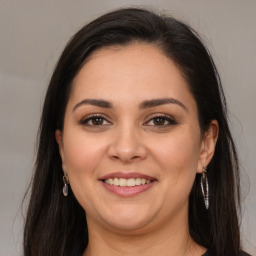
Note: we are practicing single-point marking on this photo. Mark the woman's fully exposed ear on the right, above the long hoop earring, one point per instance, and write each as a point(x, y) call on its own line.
point(208, 144)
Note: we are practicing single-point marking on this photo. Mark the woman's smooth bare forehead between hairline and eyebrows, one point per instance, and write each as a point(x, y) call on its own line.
point(140, 70)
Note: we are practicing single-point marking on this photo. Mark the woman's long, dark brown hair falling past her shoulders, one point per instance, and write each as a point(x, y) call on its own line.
point(56, 226)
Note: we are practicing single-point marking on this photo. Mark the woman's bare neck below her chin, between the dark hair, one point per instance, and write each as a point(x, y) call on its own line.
point(169, 239)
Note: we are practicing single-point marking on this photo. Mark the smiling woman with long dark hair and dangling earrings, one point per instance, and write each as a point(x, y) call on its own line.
point(135, 155)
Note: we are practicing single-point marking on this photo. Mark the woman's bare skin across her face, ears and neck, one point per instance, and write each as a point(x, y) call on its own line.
point(128, 138)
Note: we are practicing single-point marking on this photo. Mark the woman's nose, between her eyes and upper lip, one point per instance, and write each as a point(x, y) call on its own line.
point(127, 145)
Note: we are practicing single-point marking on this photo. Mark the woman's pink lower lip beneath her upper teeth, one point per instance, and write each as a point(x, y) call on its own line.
point(128, 191)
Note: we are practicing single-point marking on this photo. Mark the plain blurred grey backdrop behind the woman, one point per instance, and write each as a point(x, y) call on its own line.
point(32, 36)
